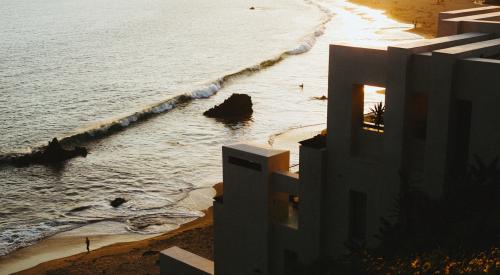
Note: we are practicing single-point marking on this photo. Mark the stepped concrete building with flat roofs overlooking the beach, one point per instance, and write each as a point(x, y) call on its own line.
point(442, 99)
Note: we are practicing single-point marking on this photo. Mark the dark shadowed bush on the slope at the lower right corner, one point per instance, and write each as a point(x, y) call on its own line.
point(456, 234)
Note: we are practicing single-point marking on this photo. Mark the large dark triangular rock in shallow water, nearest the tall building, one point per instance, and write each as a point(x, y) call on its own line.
point(237, 106)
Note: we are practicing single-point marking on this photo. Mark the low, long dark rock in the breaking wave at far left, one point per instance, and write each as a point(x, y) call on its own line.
point(53, 153)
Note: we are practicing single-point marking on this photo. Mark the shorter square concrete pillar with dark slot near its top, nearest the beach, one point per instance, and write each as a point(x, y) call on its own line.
point(242, 219)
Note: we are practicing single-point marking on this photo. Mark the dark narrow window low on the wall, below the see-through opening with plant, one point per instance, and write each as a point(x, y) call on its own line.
point(357, 215)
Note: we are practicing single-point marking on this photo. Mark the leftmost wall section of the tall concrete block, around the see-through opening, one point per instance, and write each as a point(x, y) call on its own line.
point(348, 167)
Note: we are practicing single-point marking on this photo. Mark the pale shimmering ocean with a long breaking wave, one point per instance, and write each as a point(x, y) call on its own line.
point(80, 70)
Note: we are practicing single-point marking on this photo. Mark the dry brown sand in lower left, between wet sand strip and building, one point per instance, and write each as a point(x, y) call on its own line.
point(134, 257)
